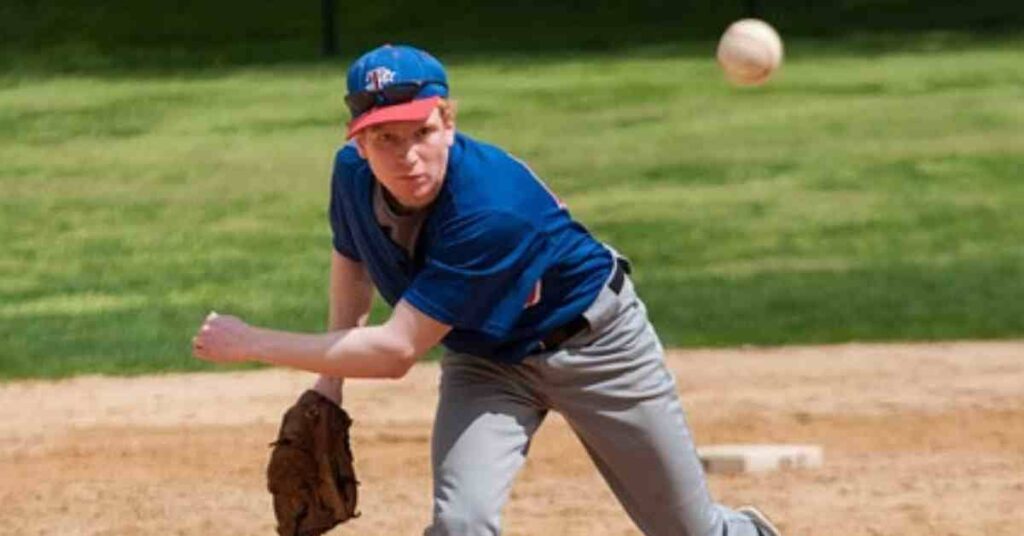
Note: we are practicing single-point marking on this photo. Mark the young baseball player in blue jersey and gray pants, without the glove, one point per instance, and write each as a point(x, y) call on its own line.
point(473, 252)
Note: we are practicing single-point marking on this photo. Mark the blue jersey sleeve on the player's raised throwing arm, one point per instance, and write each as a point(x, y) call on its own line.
point(482, 273)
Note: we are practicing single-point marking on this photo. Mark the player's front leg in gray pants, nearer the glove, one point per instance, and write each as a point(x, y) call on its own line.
point(486, 419)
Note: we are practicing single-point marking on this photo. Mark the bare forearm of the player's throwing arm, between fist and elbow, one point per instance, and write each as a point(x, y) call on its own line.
point(366, 353)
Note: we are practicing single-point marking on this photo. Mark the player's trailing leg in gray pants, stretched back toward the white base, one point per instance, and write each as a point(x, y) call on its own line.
point(615, 390)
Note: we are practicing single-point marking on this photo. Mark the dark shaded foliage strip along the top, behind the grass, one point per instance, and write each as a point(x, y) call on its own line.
point(116, 35)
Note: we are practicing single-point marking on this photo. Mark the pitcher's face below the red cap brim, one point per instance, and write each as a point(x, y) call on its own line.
point(409, 158)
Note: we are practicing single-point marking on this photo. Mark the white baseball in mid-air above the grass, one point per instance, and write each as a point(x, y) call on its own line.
point(750, 53)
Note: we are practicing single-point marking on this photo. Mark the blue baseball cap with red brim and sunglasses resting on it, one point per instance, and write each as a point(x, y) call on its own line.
point(394, 84)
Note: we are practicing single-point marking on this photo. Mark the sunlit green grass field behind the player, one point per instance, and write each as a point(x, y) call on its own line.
point(871, 193)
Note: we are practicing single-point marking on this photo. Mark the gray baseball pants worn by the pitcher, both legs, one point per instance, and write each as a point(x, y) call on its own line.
point(613, 387)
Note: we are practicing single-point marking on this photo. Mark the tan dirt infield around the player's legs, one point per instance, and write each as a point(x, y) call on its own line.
point(921, 439)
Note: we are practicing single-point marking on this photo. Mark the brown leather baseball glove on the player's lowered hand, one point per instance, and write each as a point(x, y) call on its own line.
point(311, 474)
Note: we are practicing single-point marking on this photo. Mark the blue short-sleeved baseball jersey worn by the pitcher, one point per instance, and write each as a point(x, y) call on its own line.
point(499, 258)
